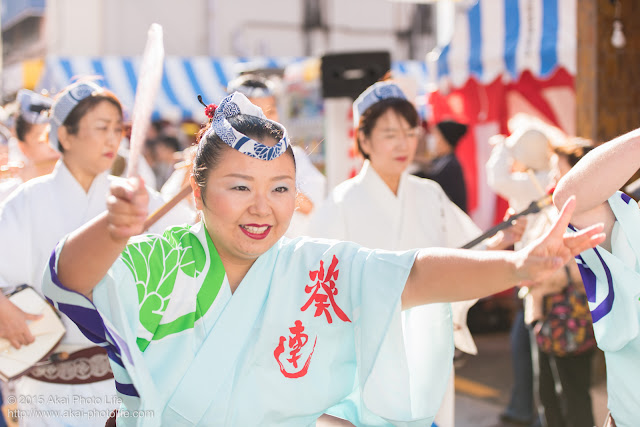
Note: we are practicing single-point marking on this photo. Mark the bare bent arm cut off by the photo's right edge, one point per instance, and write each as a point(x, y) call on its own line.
point(597, 176)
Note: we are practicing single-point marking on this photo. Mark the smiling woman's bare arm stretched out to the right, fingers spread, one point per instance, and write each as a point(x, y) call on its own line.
point(443, 275)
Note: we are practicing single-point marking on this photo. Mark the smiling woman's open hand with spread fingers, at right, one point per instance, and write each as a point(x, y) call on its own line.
point(542, 257)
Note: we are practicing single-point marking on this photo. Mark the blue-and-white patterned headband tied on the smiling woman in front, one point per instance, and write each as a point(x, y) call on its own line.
point(234, 105)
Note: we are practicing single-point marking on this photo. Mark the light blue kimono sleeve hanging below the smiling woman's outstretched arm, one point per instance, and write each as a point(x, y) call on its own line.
point(401, 378)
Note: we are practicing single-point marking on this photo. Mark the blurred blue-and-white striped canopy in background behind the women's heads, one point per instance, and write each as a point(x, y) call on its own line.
point(183, 78)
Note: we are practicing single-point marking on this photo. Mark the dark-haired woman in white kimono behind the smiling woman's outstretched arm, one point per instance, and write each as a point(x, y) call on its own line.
point(386, 207)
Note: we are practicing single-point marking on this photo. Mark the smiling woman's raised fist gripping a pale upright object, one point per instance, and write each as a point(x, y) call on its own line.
point(127, 207)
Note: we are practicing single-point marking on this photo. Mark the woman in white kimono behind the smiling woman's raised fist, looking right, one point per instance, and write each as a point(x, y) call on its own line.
point(86, 127)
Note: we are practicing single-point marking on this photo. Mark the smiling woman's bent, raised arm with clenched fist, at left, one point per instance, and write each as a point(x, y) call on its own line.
point(92, 249)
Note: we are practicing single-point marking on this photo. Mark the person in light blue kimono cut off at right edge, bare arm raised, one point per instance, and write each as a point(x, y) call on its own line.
point(611, 272)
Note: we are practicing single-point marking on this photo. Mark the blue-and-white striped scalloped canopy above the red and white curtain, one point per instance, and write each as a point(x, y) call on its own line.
point(507, 37)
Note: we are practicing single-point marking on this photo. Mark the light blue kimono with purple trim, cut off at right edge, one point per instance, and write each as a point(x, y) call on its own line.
point(612, 282)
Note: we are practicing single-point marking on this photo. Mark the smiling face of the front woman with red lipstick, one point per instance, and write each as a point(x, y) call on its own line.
point(247, 203)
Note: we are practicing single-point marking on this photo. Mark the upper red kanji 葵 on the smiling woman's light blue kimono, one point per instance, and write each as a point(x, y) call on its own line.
point(324, 291)
